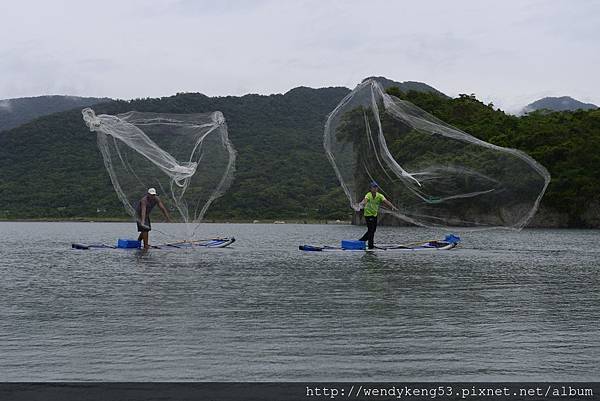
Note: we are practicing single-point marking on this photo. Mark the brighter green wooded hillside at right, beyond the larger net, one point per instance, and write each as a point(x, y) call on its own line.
point(566, 143)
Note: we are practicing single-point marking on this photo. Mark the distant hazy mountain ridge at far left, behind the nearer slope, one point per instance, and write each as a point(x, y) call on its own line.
point(14, 112)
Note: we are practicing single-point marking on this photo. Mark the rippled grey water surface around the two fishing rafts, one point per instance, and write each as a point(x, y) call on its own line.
point(504, 306)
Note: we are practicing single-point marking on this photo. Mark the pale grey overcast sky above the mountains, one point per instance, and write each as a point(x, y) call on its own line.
point(506, 52)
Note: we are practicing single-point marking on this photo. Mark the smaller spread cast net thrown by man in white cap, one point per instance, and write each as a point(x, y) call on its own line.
point(187, 158)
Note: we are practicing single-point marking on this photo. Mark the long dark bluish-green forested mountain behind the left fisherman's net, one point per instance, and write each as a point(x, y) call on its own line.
point(51, 167)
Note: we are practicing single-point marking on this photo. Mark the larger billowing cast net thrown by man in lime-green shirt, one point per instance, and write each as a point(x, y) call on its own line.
point(435, 174)
